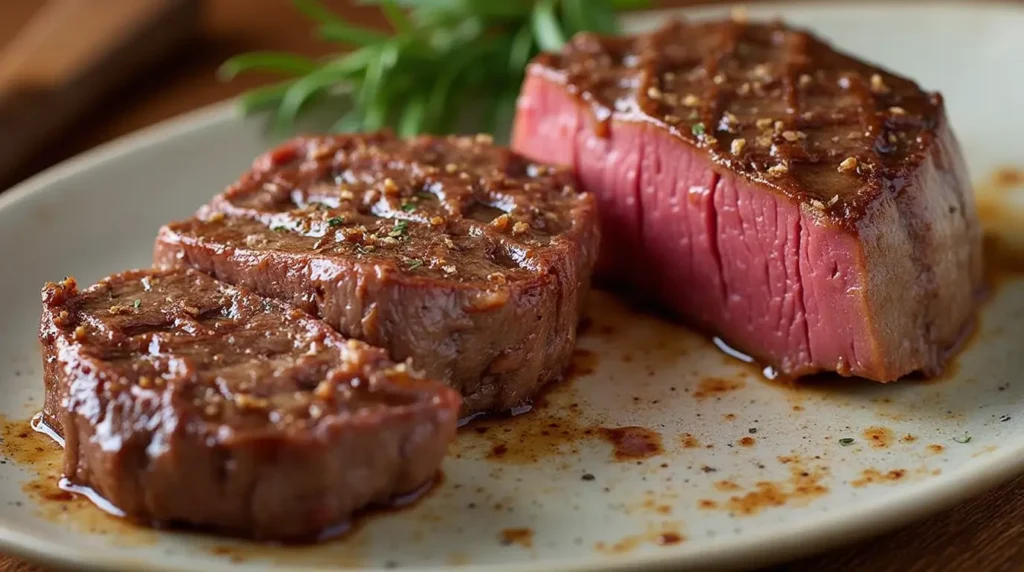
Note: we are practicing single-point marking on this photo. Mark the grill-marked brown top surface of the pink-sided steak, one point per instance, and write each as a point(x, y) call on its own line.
point(775, 104)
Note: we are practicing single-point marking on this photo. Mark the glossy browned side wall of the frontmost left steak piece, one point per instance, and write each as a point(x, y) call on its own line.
point(169, 467)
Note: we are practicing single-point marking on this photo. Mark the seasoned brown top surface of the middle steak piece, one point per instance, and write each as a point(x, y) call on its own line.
point(457, 209)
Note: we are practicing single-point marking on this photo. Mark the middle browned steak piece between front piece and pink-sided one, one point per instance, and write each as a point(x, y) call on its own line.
point(455, 253)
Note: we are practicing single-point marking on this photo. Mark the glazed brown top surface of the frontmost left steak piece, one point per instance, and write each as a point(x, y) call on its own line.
point(183, 344)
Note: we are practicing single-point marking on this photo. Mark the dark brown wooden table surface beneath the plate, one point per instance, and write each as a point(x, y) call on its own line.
point(985, 535)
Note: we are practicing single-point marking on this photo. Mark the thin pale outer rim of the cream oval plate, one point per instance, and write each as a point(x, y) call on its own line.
point(871, 518)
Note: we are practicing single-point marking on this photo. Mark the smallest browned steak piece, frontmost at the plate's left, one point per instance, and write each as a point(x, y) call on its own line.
point(187, 402)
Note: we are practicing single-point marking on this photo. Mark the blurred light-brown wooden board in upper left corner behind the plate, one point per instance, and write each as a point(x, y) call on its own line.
point(70, 57)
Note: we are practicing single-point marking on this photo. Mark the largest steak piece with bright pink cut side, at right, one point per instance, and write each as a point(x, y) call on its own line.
point(809, 208)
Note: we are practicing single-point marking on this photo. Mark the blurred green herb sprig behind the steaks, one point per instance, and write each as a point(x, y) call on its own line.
point(444, 58)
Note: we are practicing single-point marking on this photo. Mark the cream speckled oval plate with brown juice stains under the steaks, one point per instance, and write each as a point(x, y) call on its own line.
point(662, 453)
